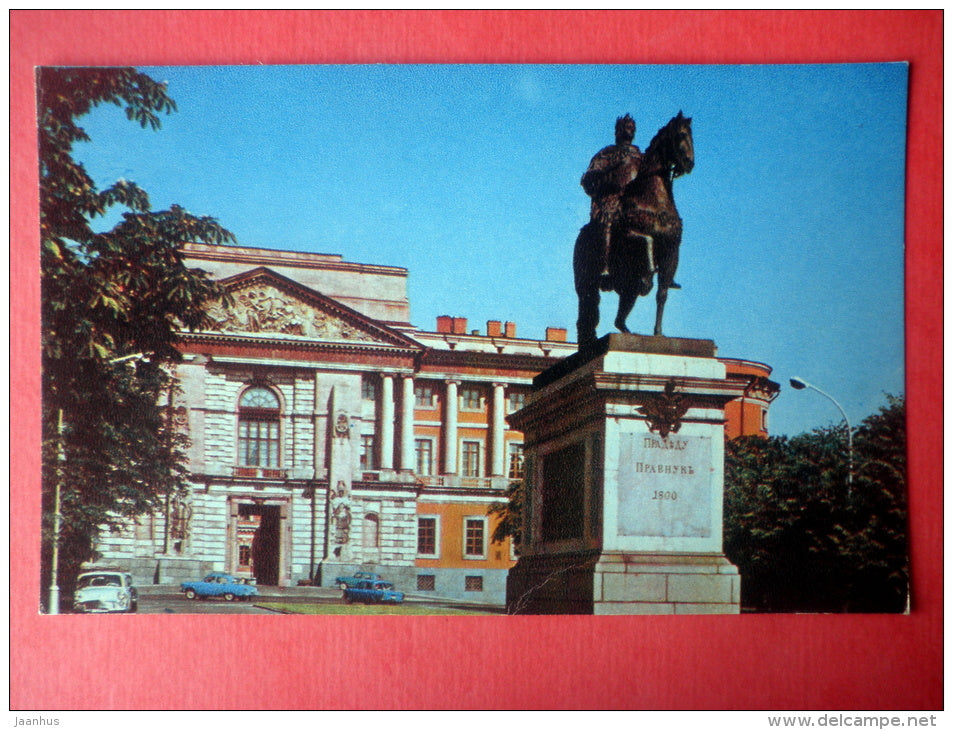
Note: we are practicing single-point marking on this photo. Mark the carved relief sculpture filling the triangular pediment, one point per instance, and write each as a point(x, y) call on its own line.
point(266, 309)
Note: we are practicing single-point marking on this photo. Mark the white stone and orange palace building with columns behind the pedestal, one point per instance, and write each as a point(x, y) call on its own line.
point(328, 434)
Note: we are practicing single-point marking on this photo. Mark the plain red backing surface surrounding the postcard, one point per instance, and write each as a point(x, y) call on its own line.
point(778, 662)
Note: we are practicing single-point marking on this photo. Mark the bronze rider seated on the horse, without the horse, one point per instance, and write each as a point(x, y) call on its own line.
point(610, 171)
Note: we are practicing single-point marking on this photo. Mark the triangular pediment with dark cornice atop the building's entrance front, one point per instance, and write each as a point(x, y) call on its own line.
point(266, 303)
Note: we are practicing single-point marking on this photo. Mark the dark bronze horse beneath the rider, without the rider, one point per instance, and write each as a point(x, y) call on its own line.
point(648, 231)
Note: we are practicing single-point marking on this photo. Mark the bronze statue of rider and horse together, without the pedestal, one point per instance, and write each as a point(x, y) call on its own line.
point(635, 230)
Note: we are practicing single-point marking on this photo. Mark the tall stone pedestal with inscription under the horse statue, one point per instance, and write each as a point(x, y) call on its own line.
point(624, 449)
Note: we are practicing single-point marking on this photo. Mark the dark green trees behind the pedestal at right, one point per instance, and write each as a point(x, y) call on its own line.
point(805, 540)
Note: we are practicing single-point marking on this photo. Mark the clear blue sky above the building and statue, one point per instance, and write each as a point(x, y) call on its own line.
point(468, 176)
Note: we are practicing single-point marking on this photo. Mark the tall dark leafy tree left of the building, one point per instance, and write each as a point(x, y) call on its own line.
point(106, 294)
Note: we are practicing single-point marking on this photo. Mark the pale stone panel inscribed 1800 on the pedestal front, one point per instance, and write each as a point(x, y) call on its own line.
point(664, 485)
